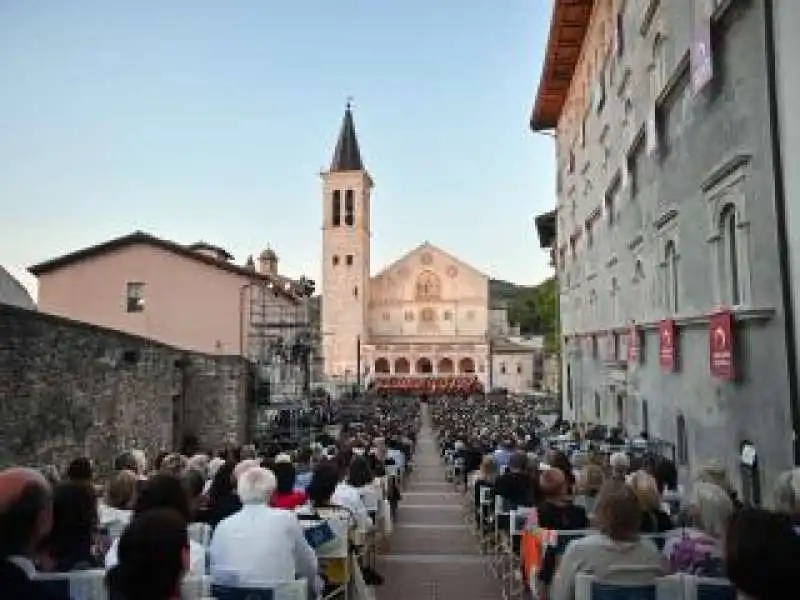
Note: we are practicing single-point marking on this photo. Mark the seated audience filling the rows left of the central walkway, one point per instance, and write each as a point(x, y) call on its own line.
point(238, 517)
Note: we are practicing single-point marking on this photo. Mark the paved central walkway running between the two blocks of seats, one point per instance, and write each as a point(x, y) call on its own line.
point(432, 555)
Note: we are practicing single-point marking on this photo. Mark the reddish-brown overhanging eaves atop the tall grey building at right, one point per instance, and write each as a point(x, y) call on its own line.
point(568, 27)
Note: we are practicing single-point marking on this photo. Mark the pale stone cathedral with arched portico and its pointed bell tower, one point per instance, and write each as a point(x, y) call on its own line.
point(425, 316)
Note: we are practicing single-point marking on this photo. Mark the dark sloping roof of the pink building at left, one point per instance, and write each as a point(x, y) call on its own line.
point(283, 285)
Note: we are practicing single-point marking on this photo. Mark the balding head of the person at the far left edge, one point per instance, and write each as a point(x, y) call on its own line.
point(26, 511)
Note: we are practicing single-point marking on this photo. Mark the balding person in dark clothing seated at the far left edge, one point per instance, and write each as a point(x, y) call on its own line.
point(25, 520)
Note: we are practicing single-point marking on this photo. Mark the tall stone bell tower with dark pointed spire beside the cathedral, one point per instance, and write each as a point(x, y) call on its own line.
point(346, 190)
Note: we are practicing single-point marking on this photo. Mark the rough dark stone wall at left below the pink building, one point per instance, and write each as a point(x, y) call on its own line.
point(70, 388)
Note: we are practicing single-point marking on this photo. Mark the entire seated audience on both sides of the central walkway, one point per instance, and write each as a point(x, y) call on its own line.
point(243, 518)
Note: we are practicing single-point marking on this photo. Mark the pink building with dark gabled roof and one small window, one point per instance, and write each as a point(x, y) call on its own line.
point(191, 297)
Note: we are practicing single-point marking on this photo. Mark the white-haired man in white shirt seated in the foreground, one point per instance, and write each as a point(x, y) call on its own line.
point(260, 545)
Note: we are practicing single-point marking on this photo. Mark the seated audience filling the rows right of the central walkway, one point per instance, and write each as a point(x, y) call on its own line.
point(625, 498)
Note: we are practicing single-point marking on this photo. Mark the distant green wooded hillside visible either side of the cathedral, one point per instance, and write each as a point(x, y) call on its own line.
point(533, 307)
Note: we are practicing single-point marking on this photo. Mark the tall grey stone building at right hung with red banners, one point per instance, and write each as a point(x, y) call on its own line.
point(665, 228)
